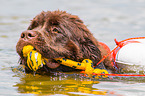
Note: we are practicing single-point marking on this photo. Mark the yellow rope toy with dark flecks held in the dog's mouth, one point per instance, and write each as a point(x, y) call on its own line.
point(35, 61)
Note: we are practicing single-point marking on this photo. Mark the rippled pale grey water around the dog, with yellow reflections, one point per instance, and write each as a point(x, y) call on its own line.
point(107, 19)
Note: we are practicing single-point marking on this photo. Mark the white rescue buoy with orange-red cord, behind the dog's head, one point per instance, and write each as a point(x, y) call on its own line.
point(131, 52)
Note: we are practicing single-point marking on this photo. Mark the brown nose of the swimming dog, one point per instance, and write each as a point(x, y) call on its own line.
point(28, 34)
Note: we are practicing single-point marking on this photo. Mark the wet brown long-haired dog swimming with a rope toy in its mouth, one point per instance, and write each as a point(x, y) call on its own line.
point(59, 34)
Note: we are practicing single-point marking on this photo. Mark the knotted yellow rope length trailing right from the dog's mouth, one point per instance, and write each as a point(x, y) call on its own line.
point(86, 65)
